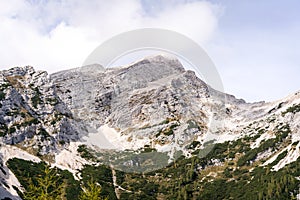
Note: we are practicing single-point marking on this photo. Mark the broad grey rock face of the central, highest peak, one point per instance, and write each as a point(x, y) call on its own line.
point(150, 96)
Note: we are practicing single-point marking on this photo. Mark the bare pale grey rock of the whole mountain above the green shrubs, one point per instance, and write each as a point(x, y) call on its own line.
point(152, 103)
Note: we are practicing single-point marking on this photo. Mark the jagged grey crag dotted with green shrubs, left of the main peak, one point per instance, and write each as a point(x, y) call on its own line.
point(31, 109)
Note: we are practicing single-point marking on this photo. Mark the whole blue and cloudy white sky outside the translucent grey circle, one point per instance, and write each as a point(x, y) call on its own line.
point(254, 44)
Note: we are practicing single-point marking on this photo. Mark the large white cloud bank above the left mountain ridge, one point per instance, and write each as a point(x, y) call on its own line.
point(53, 35)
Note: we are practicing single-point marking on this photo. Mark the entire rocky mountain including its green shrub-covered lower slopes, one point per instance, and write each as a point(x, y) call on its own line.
point(149, 130)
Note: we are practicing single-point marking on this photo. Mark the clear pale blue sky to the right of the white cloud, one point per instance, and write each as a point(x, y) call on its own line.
point(262, 42)
